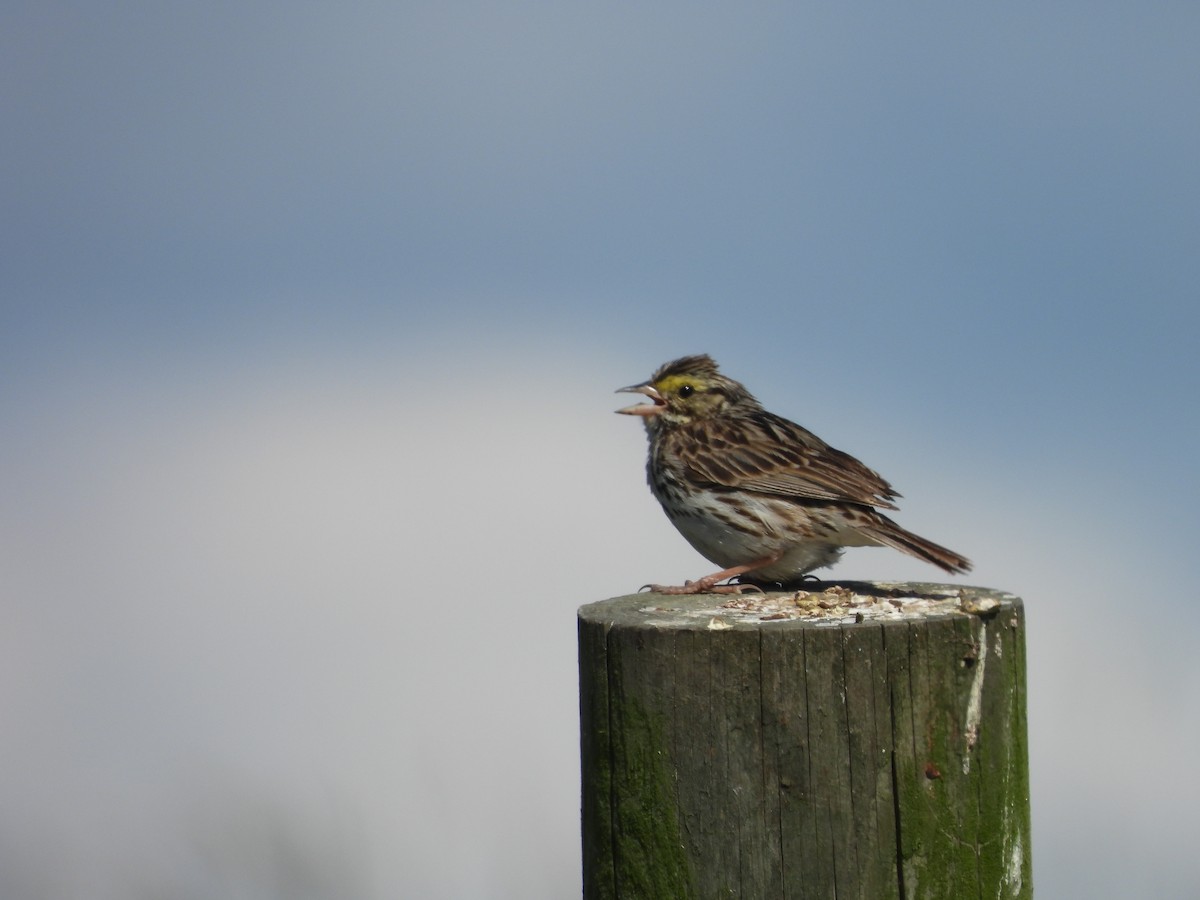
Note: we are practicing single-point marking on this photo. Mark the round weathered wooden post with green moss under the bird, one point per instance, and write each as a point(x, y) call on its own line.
point(866, 741)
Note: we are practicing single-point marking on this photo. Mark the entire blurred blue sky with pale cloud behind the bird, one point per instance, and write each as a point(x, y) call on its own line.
point(309, 325)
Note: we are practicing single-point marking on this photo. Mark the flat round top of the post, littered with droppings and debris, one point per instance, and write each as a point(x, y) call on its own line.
point(831, 604)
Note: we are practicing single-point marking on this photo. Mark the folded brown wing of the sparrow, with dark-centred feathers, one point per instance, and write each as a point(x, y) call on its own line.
point(772, 455)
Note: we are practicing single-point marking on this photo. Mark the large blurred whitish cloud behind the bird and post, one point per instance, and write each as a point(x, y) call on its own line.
point(333, 607)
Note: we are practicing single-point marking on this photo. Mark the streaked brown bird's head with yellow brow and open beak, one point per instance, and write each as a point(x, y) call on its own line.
point(687, 391)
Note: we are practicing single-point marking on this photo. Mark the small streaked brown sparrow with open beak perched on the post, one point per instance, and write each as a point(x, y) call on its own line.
point(755, 494)
